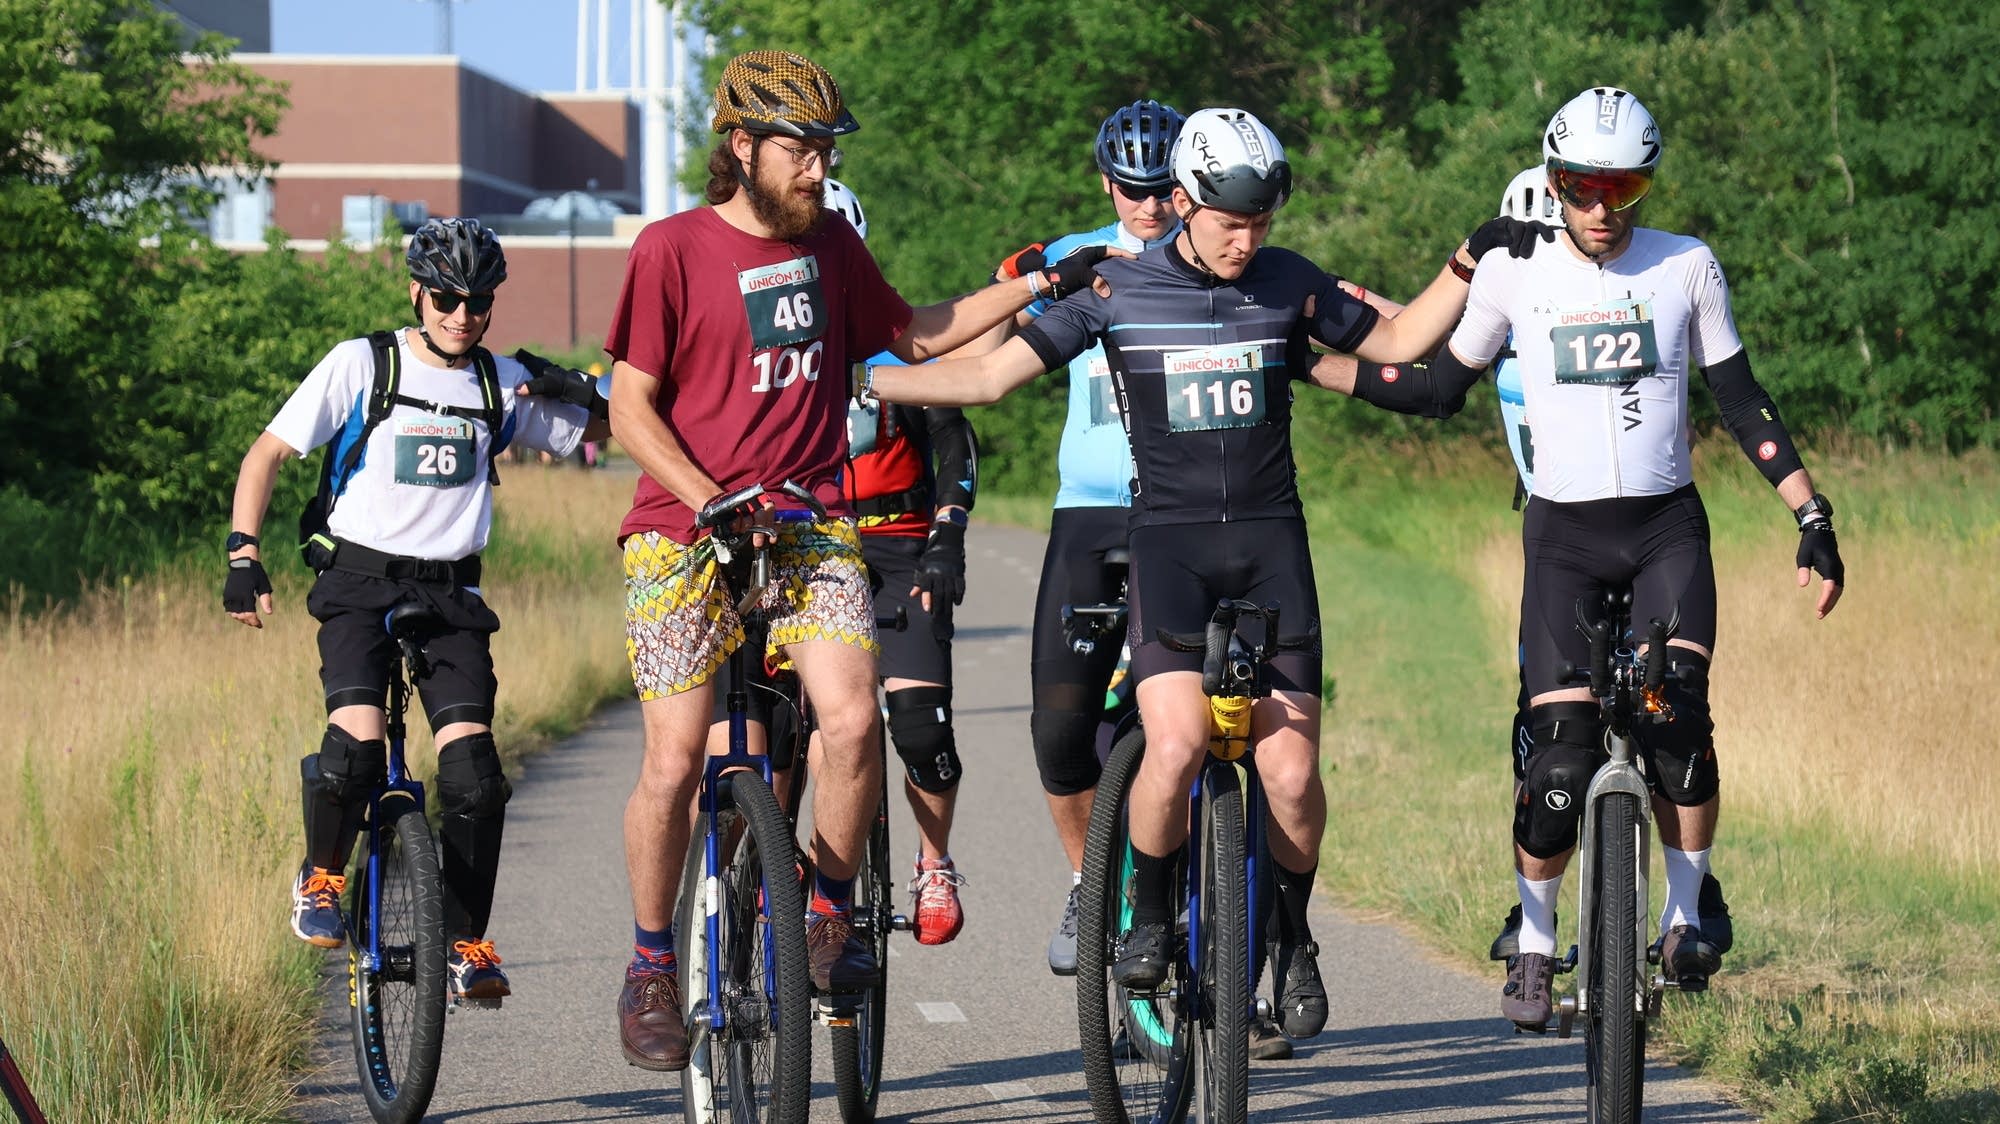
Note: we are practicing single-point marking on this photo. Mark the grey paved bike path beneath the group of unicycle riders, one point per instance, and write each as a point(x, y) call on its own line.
point(979, 1029)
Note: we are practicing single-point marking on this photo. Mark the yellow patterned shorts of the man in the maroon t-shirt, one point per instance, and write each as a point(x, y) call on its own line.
point(681, 625)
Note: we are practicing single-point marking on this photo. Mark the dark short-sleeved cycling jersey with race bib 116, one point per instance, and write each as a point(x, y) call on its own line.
point(1205, 373)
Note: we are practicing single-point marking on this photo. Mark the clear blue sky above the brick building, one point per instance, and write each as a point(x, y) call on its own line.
point(523, 43)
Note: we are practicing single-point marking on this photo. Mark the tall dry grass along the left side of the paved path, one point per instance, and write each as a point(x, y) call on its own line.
point(149, 809)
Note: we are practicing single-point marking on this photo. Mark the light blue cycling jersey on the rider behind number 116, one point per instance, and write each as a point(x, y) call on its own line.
point(1095, 461)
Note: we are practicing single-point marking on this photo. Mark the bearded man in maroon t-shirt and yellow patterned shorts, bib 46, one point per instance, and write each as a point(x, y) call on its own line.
point(733, 341)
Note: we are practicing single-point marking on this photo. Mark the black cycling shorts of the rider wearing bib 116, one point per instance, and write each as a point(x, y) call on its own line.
point(1181, 571)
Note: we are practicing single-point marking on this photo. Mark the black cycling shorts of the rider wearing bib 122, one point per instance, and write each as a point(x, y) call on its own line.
point(1655, 545)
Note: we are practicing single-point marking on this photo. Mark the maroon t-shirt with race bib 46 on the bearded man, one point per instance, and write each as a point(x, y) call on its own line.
point(753, 343)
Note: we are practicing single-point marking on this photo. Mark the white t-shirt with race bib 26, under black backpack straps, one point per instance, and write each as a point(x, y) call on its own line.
point(421, 489)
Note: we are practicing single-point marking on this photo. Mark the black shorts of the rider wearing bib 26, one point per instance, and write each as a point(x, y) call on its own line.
point(357, 651)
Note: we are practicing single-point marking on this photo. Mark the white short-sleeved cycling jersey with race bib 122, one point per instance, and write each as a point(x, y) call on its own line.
point(1605, 357)
